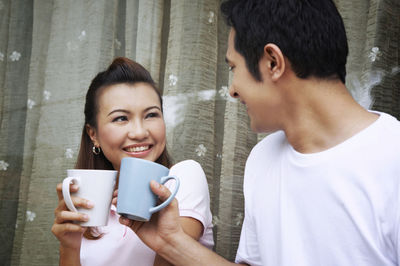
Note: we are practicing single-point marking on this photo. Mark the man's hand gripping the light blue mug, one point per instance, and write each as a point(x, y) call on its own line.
point(163, 225)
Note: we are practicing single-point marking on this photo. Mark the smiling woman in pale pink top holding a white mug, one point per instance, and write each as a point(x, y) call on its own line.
point(124, 118)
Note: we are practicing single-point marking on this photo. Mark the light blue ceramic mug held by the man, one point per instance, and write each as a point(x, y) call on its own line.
point(136, 201)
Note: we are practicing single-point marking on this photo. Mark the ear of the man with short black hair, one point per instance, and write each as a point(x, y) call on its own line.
point(274, 61)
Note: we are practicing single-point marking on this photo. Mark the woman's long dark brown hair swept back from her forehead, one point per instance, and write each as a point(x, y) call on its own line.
point(121, 70)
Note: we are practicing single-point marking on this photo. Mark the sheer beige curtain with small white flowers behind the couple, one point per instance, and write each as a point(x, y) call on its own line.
point(50, 50)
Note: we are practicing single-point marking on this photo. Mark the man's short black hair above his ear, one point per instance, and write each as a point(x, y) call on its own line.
point(310, 34)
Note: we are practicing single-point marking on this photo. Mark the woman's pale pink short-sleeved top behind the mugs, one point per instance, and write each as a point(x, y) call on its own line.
point(120, 245)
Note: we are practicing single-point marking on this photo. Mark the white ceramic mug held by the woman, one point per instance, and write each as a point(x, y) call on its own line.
point(96, 186)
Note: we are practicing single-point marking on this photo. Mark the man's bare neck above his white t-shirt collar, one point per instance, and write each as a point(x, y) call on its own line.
point(322, 114)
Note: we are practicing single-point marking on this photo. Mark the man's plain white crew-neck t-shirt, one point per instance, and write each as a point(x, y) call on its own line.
point(339, 207)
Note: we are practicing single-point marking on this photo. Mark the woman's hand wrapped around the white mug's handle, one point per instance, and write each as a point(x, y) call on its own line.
point(67, 232)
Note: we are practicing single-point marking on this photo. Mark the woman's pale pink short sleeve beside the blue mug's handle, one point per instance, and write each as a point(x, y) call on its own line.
point(193, 195)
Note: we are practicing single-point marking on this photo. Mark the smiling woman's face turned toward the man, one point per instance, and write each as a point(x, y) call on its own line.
point(129, 128)
